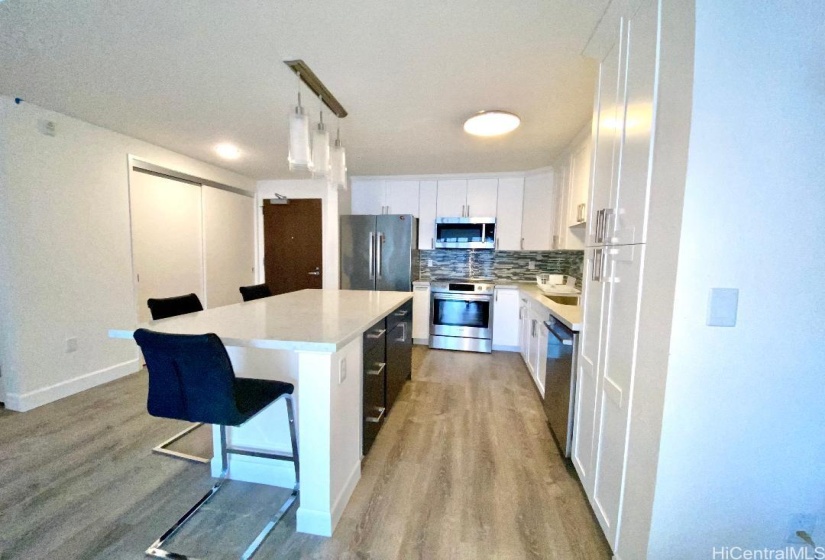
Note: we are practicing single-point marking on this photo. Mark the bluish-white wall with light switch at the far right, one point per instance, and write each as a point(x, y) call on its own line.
point(743, 437)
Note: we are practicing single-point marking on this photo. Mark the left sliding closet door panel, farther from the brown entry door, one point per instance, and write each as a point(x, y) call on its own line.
point(167, 240)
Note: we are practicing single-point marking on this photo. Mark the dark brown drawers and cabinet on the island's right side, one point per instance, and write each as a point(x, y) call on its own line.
point(387, 366)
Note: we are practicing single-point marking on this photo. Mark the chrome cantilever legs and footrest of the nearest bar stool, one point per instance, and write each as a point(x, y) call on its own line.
point(156, 549)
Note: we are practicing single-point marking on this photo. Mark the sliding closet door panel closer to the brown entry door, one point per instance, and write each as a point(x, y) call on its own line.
point(229, 244)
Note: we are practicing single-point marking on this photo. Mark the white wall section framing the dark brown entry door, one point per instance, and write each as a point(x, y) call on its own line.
point(306, 188)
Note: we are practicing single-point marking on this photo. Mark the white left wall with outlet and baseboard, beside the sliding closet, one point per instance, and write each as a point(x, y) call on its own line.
point(65, 251)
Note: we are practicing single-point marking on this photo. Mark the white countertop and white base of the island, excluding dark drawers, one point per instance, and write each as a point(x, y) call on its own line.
point(313, 339)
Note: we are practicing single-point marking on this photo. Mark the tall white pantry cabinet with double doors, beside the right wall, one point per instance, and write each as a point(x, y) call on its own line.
point(623, 125)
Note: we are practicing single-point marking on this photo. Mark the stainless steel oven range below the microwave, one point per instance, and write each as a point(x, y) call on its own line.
point(461, 316)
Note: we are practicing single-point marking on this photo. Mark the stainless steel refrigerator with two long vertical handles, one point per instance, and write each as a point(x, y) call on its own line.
point(377, 252)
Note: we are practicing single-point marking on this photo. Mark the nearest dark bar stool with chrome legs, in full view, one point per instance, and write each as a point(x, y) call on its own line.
point(191, 378)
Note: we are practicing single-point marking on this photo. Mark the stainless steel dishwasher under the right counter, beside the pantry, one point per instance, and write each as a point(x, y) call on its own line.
point(560, 382)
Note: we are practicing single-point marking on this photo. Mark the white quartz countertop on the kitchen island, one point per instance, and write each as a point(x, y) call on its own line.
point(310, 320)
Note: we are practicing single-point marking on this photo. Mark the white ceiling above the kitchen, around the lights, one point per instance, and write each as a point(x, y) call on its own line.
point(188, 74)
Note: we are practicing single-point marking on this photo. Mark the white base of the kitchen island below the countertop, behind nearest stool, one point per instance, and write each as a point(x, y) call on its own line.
point(329, 417)
